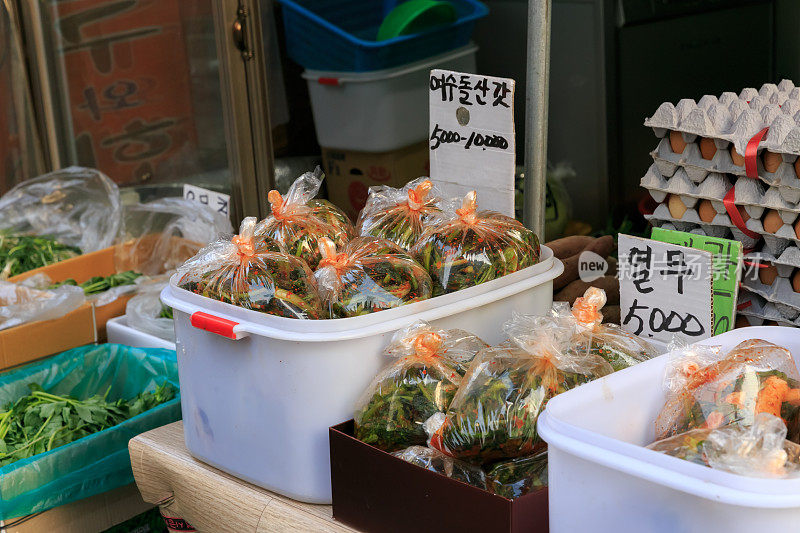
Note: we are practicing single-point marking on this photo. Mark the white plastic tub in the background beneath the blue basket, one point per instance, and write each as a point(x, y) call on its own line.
point(381, 110)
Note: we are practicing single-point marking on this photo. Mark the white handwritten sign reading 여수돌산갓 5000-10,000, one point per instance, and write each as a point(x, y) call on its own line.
point(472, 144)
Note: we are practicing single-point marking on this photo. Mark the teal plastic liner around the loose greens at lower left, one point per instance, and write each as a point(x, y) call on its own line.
point(96, 463)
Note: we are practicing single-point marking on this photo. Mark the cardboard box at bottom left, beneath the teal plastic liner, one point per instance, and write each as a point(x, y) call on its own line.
point(97, 513)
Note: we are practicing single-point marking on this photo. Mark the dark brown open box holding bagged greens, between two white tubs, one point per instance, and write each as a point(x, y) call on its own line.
point(377, 492)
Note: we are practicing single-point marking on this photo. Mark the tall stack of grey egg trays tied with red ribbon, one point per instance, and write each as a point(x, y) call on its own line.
point(697, 161)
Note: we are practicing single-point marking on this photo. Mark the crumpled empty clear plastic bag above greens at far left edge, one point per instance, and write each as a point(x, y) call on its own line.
point(76, 206)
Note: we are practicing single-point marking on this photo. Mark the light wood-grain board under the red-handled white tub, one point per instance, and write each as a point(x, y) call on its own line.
point(211, 500)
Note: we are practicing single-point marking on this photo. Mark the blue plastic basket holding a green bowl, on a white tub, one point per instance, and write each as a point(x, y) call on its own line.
point(339, 35)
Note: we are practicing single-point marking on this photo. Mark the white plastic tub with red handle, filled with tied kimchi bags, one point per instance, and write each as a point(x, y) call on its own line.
point(259, 395)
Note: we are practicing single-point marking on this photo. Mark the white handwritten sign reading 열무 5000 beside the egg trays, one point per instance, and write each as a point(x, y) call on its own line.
point(665, 290)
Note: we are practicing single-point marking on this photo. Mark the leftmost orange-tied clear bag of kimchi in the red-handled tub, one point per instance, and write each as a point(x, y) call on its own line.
point(252, 272)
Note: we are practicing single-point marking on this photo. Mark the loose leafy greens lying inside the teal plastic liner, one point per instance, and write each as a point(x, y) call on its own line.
point(41, 421)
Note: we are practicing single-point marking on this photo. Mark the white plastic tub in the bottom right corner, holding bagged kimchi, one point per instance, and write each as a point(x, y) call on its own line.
point(602, 479)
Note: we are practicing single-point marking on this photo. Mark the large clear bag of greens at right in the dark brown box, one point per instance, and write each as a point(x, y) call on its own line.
point(493, 415)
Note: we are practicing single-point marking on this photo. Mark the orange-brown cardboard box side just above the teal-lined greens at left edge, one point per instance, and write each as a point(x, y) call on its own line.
point(28, 342)
